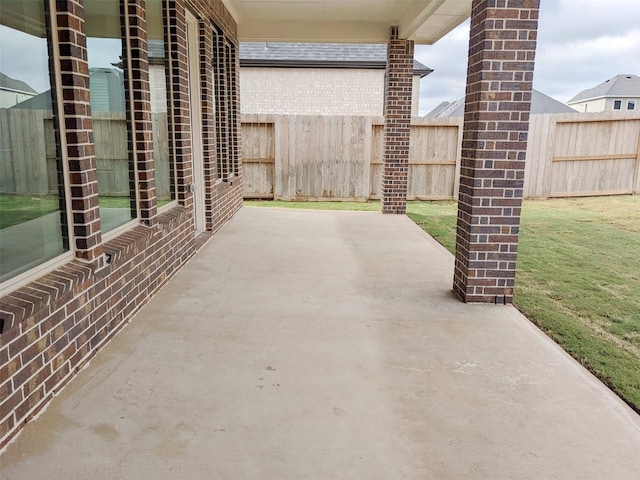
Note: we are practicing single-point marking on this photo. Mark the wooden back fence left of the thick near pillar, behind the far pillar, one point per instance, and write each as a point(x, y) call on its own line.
point(340, 157)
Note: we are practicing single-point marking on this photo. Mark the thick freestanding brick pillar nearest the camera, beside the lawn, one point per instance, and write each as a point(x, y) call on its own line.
point(496, 121)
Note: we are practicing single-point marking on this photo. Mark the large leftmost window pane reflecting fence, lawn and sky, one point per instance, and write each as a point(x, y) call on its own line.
point(32, 217)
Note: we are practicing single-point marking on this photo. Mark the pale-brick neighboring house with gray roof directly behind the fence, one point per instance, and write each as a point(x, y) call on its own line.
point(317, 78)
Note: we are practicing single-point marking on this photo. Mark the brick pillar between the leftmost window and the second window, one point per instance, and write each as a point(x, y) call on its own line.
point(78, 139)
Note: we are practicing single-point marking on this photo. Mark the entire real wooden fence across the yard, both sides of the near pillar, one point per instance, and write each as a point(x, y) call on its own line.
point(340, 158)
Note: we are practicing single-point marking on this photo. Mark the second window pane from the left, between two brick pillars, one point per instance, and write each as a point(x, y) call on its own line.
point(116, 179)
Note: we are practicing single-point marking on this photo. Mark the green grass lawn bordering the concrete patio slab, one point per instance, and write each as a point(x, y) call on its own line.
point(578, 275)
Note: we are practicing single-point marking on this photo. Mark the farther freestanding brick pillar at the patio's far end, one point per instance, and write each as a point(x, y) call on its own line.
point(397, 119)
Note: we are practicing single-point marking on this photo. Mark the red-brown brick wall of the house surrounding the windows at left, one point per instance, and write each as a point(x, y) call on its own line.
point(53, 325)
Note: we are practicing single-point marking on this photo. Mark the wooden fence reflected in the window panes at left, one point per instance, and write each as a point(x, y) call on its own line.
point(28, 153)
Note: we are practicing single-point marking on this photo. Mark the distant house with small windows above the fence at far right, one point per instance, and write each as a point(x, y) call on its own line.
point(620, 93)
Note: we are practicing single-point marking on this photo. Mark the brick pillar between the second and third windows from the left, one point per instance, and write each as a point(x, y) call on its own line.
point(138, 96)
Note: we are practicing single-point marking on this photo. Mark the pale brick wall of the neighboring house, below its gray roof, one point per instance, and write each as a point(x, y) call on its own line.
point(316, 91)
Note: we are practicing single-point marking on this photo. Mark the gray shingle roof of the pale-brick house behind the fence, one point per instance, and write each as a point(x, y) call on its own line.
point(336, 55)
